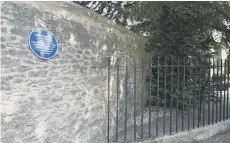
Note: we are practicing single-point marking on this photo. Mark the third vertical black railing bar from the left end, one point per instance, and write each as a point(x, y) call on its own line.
point(126, 95)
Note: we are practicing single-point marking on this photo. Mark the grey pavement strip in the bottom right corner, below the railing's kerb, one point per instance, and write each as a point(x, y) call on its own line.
point(219, 138)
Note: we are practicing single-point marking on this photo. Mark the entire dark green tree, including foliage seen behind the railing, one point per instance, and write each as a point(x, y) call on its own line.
point(184, 30)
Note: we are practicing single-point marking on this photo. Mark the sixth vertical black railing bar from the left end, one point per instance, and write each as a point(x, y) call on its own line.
point(150, 89)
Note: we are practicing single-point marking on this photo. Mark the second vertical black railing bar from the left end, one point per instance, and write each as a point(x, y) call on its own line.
point(118, 90)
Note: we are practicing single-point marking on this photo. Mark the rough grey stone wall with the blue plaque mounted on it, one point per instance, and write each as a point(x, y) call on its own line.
point(62, 99)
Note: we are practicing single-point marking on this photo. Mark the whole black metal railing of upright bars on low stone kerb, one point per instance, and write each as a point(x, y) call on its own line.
point(168, 96)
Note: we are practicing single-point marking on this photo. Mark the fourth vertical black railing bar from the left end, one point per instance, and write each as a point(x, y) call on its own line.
point(135, 98)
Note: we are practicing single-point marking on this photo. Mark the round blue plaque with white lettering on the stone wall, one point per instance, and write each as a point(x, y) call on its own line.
point(43, 43)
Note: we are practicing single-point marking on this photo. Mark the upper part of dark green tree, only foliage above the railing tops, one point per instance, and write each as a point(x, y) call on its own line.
point(182, 28)
